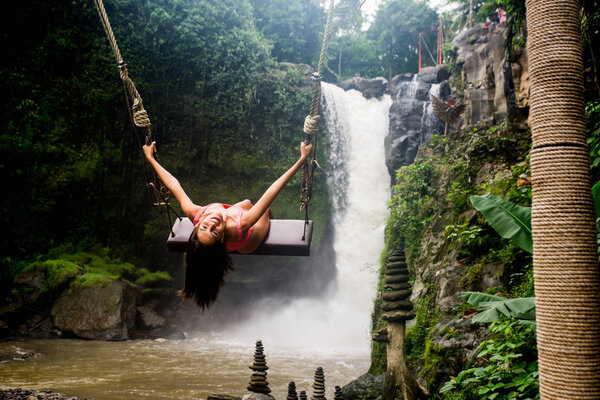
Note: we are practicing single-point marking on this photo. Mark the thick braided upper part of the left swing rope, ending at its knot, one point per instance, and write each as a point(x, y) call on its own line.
point(140, 116)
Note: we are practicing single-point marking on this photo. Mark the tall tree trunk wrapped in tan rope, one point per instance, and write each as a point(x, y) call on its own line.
point(566, 273)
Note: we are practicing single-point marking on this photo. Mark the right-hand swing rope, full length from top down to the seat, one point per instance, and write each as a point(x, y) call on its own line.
point(311, 123)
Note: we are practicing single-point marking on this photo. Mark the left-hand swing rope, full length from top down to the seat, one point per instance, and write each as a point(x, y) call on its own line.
point(159, 194)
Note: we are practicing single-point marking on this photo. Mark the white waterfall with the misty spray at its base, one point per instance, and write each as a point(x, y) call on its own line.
point(358, 181)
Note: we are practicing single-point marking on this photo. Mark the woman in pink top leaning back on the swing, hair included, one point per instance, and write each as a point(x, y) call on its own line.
point(220, 229)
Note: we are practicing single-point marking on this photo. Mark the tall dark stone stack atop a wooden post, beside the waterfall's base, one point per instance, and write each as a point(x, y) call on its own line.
point(396, 307)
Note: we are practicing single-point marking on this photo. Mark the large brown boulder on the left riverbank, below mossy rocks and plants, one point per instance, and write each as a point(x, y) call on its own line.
point(104, 312)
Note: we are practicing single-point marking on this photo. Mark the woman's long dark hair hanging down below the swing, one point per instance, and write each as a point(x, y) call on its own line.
point(206, 267)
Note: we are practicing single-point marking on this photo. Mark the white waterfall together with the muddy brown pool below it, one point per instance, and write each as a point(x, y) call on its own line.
point(333, 333)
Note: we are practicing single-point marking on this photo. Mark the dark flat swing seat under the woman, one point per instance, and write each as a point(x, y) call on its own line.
point(283, 239)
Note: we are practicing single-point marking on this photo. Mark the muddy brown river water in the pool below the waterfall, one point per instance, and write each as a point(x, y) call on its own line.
point(162, 369)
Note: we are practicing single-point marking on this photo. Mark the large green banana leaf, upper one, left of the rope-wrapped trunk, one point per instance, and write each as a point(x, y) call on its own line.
point(510, 220)
